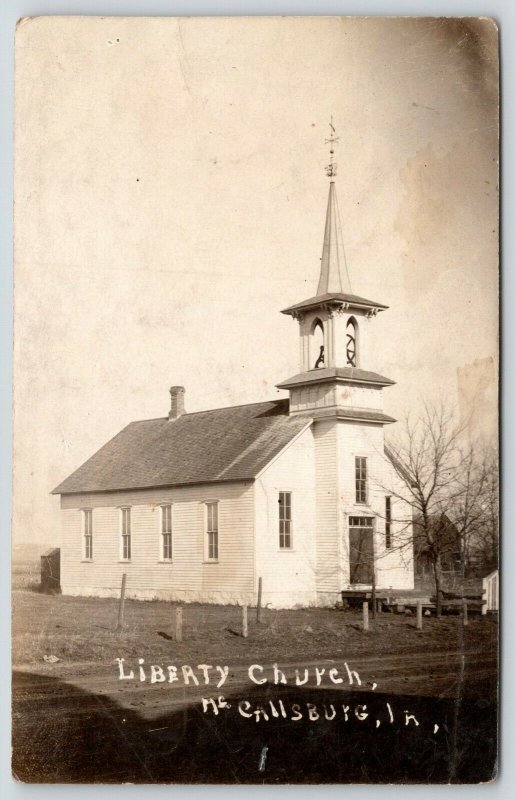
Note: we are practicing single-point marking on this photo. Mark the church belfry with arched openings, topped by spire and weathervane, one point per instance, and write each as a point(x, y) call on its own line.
point(334, 334)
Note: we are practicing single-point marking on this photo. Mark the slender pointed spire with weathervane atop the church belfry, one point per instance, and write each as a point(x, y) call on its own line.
point(333, 253)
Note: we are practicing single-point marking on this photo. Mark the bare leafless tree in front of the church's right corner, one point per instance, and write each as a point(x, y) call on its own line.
point(447, 482)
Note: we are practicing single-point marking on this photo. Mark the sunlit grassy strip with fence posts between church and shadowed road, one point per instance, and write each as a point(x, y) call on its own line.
point(77, 629)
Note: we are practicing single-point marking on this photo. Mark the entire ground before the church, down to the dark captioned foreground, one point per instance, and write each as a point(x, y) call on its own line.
point(79, 708)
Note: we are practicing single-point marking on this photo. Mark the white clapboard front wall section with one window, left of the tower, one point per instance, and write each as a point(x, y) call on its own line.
point(288, 574)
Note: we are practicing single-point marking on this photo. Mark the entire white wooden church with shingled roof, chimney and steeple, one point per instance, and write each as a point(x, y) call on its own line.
point(298, 491)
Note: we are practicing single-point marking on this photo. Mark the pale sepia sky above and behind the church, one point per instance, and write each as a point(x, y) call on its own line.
point(170, 200)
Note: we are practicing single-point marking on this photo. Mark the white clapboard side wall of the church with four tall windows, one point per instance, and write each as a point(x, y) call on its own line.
point(187, 576)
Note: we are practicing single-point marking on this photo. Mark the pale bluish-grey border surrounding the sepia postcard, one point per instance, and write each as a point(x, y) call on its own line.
point(504, 12)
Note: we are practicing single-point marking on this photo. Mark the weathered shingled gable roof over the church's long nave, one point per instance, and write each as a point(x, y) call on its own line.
point(227, 444)
